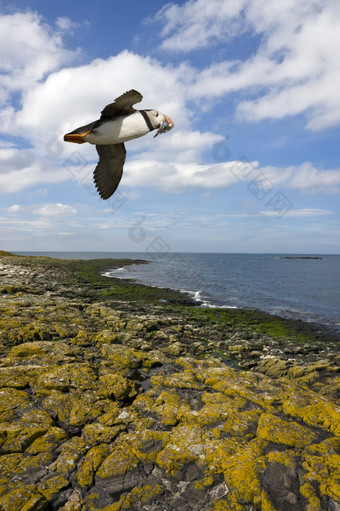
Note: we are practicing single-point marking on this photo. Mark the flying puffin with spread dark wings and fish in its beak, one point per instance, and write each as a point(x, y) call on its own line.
point(118, 123)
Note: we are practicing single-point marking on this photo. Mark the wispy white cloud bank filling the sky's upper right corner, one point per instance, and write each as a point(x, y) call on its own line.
point(294, 69)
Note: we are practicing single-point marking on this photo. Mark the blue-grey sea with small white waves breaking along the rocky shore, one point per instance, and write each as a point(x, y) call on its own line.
point(305, 287)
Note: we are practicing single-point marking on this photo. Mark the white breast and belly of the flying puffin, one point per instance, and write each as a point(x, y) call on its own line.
point(119, 130)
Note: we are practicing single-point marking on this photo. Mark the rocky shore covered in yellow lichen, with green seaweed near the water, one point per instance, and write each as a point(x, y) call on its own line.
point(116, 396)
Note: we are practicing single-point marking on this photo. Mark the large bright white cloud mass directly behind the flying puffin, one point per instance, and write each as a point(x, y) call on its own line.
point(69, 104)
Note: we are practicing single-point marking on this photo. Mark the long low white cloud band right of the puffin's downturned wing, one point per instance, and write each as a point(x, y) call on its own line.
point(180, 176)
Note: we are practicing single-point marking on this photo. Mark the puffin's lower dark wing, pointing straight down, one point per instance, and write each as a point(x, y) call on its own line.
point(109, 170)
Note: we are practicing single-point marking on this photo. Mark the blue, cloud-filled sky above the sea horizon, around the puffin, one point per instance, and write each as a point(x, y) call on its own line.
point(252, 164)
